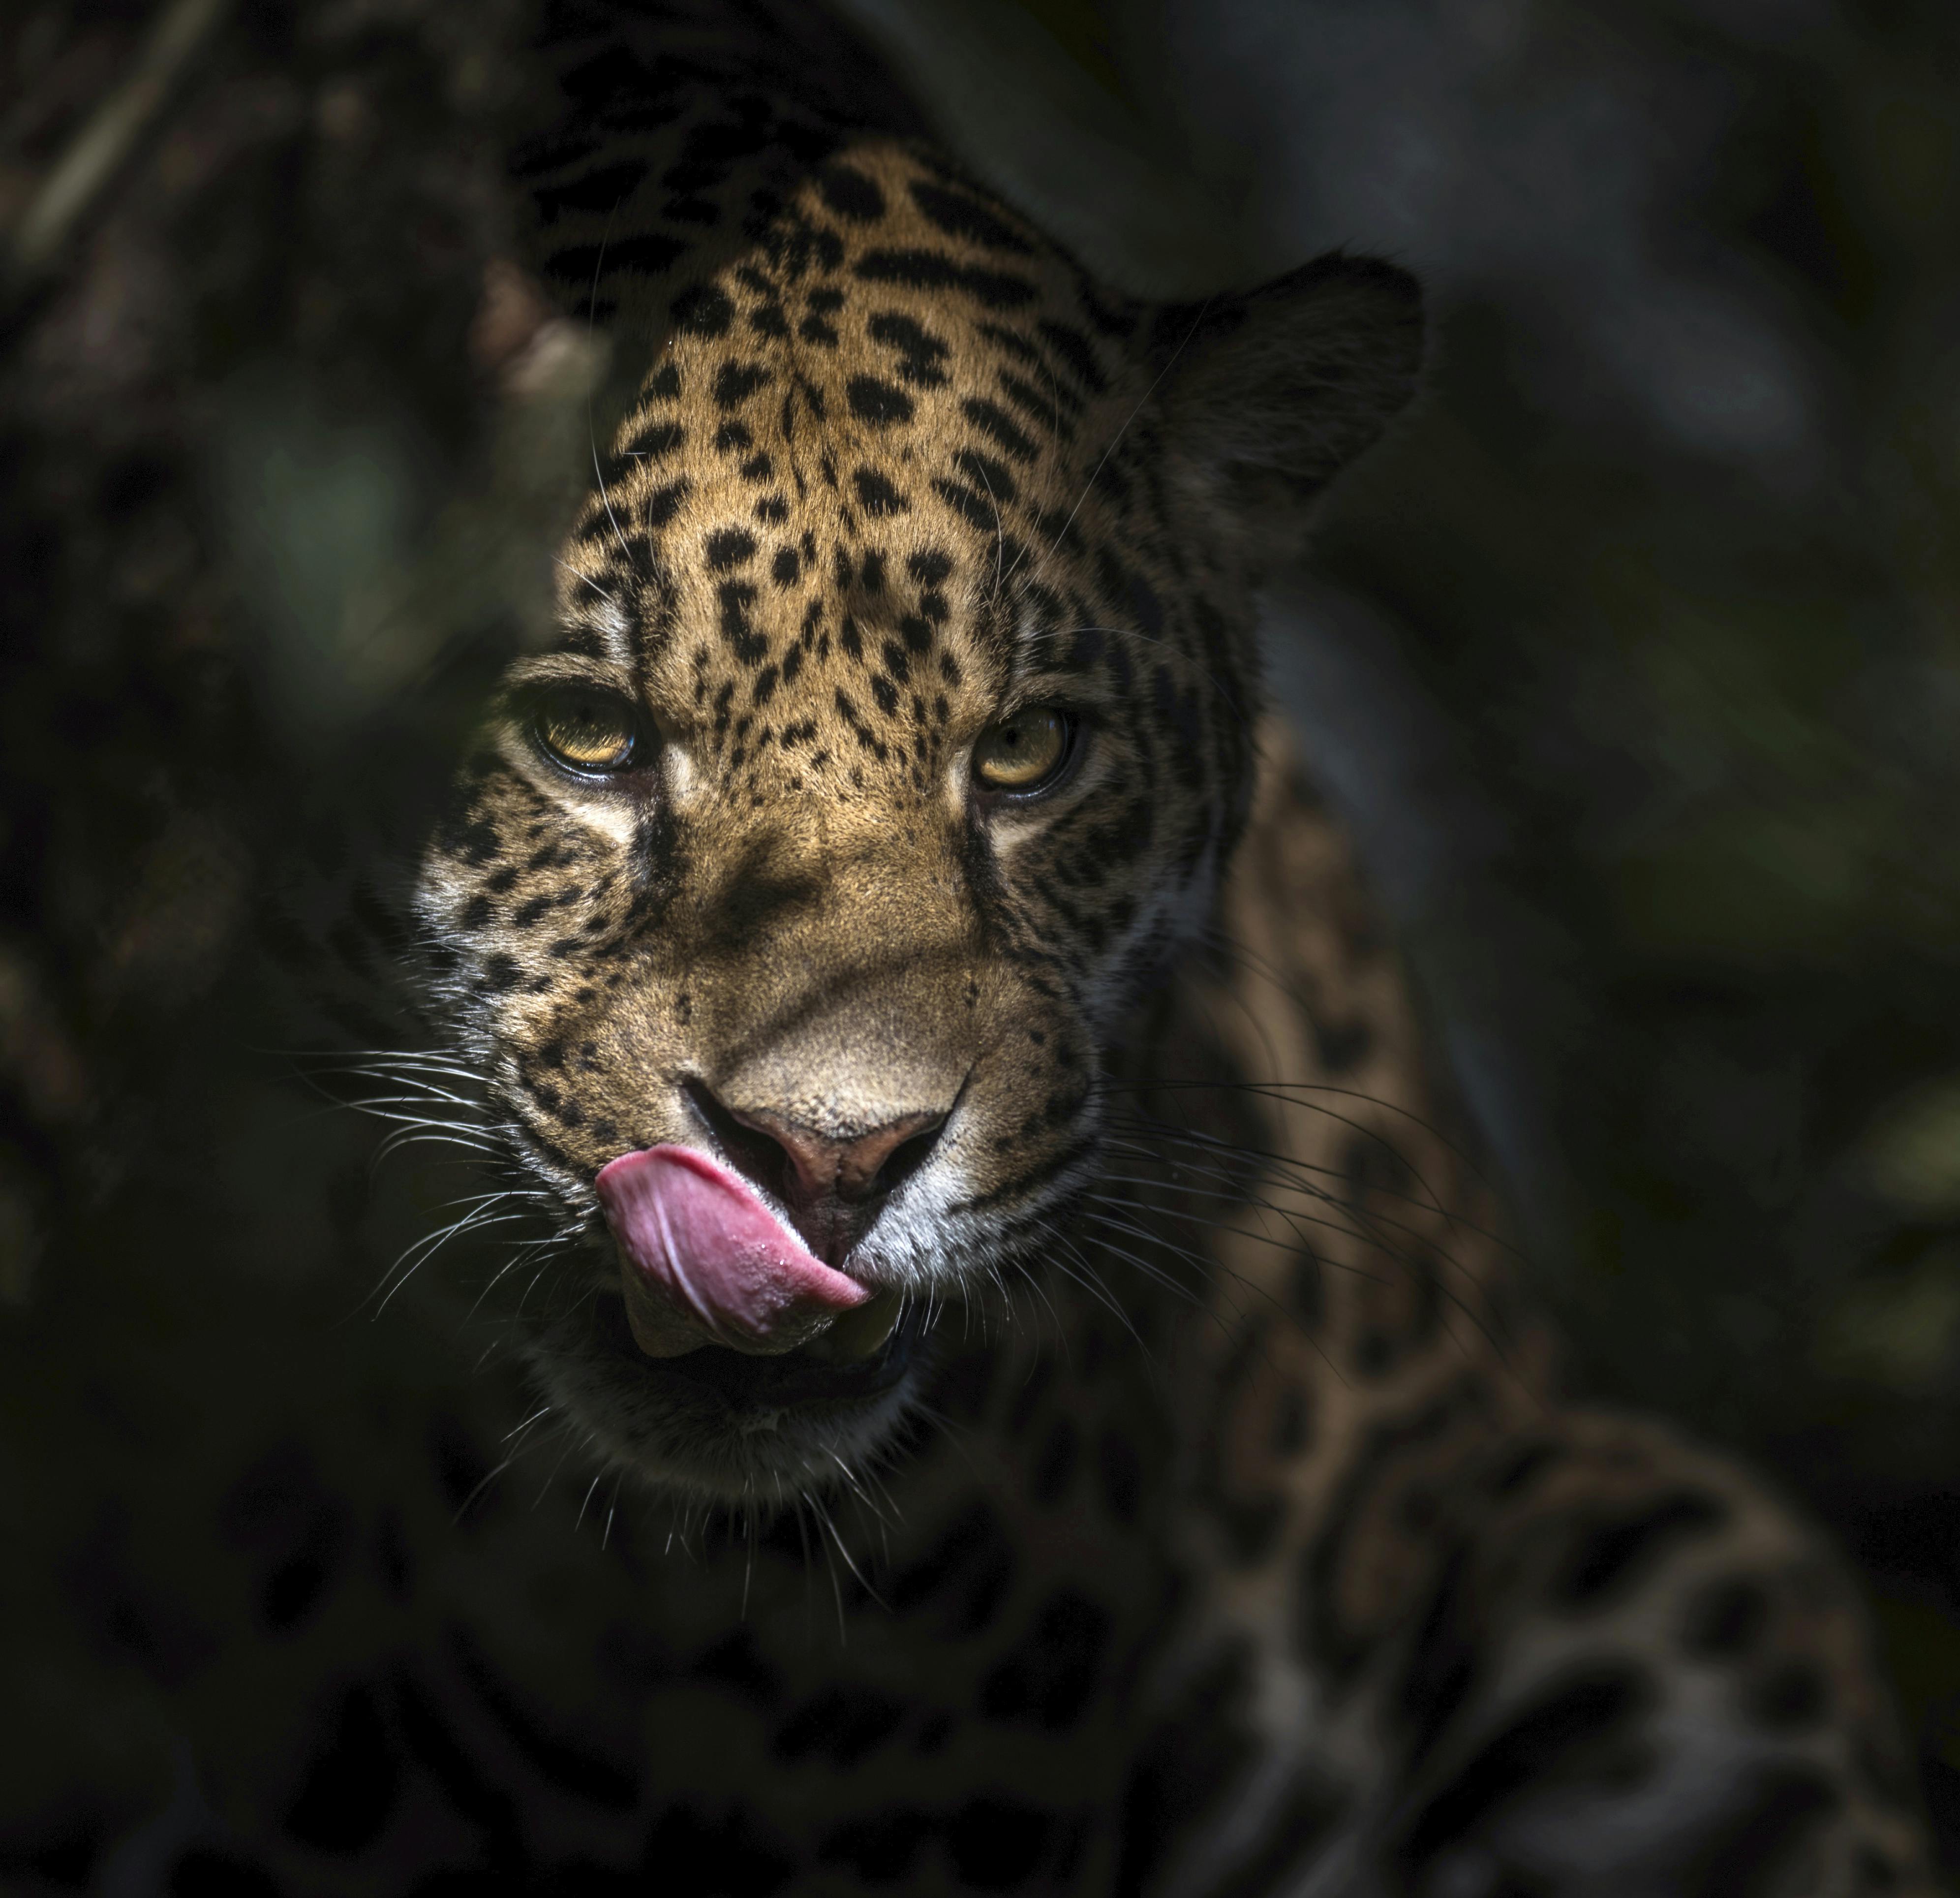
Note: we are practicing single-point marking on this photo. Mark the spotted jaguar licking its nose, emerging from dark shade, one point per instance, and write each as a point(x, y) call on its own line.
point(1053, 1401)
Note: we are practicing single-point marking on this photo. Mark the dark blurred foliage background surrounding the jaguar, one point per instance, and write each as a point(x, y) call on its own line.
point(1634, 656)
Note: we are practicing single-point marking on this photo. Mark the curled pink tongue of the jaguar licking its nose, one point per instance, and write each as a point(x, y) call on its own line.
point(710, 1258)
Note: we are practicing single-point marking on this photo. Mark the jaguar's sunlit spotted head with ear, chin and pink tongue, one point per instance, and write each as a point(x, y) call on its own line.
point(895, 736)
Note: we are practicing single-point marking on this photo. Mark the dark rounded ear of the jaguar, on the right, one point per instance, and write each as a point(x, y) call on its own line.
point(1269, 395)
